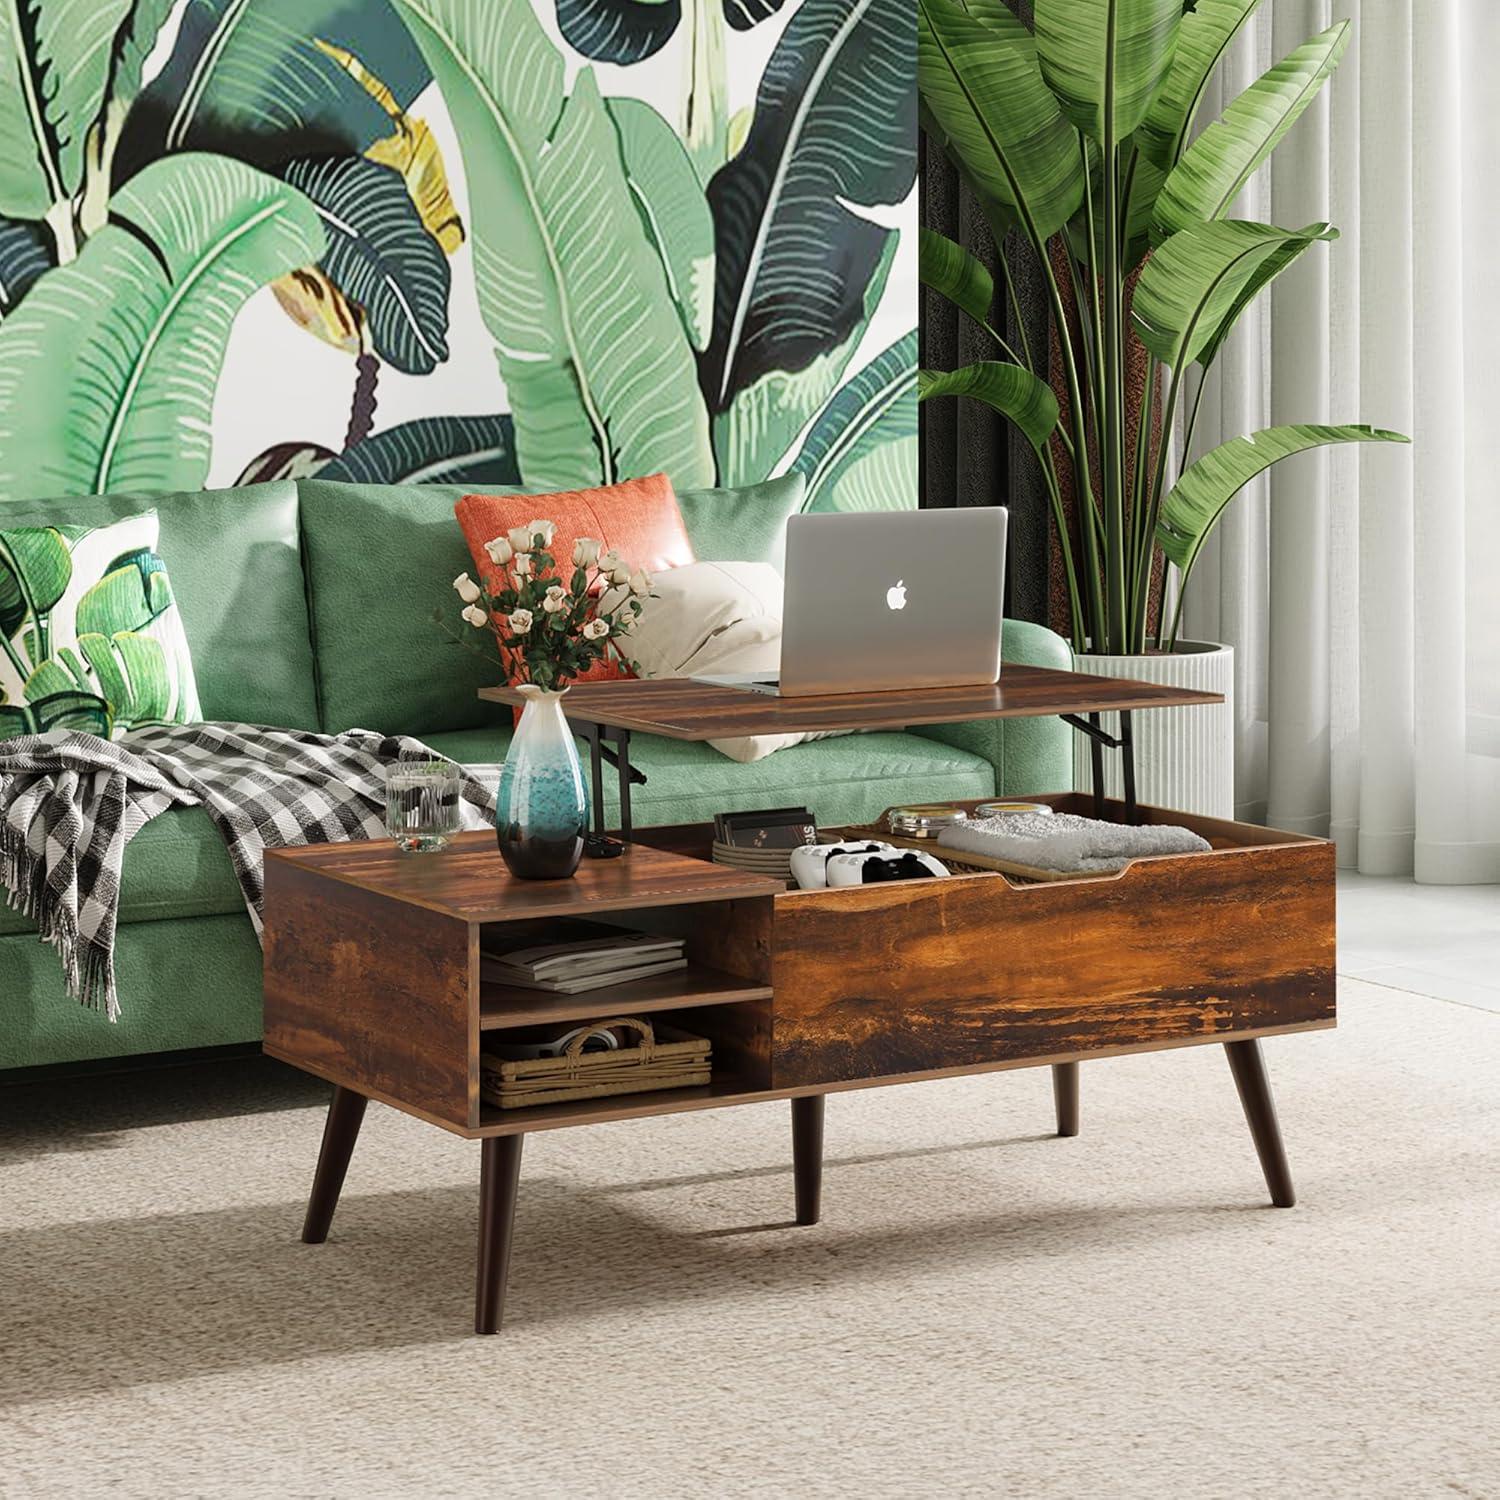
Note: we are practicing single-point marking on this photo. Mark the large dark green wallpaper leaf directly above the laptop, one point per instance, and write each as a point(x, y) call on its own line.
point(832, 136)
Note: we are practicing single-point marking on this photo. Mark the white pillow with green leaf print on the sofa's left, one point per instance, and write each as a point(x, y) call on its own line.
point(91, 637)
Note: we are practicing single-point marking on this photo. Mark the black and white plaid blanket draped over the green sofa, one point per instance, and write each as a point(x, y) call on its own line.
point(70, 805)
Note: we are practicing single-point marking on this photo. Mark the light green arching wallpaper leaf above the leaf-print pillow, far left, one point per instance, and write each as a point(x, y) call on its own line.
point(109, 368)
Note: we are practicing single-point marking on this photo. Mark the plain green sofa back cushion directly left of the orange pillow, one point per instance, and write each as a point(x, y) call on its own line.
point(380, 560)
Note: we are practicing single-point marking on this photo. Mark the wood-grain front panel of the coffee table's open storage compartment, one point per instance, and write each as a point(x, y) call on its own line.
point(904, 979)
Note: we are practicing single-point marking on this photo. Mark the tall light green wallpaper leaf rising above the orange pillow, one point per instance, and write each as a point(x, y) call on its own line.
point(595, 358)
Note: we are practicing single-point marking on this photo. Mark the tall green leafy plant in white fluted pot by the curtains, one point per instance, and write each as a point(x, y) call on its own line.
point(1078, 137)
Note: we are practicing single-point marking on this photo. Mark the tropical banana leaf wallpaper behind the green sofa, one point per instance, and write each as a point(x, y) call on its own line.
point(497, 242)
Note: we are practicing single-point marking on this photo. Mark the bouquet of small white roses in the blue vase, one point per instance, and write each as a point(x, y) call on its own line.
point(551, 622)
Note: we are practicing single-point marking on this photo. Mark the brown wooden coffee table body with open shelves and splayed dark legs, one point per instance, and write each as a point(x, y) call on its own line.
point(373, 980)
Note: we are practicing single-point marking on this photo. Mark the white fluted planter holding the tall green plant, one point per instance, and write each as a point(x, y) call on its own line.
point(1184, 757)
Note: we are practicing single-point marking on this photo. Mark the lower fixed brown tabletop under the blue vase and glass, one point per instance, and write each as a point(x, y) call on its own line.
point(470, 881)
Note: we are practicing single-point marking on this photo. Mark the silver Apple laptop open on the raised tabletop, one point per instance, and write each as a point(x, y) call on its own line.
point(887, 601)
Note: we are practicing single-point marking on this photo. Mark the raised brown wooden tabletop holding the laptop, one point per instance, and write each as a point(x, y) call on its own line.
point(680, 709)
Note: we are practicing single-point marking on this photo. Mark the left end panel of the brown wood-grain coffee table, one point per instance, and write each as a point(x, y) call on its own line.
point(374, 994)
